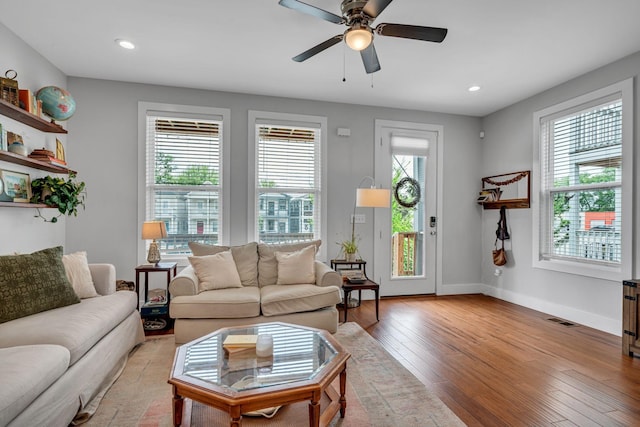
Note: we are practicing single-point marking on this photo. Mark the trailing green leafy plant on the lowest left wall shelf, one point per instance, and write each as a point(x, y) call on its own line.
point(64, 194)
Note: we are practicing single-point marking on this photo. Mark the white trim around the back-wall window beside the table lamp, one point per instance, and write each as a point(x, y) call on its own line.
point(190, 112)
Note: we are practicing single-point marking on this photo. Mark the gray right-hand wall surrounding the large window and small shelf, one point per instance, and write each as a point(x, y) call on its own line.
point(508, 146)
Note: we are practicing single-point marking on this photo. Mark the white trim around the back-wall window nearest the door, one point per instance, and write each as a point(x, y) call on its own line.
point(287, 119)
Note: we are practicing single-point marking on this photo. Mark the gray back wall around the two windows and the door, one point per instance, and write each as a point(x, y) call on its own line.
point(104, 150)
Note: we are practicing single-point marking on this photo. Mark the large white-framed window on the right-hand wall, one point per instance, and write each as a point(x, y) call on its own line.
point(584, 184)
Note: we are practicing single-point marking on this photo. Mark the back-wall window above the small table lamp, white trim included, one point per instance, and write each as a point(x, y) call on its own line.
point(184, 174)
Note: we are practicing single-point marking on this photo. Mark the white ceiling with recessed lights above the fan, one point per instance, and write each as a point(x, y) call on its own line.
point(511, 48)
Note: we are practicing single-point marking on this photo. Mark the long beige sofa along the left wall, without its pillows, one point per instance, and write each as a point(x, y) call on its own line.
point(55, 362)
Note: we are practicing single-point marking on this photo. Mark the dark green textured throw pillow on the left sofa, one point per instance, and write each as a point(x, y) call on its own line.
point(33, 283)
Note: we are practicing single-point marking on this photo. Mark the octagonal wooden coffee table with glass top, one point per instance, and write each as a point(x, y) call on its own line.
point(304, 363)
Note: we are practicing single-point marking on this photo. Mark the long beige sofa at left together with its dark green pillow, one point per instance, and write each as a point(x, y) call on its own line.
point(54, 362)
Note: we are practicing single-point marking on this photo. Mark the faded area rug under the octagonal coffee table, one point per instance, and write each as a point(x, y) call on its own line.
point(380, 392)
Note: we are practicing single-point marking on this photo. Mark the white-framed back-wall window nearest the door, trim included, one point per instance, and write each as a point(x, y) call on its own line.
point(286, 160)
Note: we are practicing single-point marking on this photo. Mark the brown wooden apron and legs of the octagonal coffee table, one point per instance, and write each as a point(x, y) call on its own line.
point(281, 395)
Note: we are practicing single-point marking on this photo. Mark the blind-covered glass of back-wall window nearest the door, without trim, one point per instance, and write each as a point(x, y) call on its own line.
point(288, 182)
